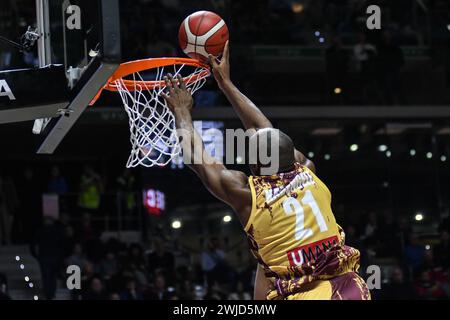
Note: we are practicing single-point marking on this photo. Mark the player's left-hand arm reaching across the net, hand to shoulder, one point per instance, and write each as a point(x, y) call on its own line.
point(229, 186)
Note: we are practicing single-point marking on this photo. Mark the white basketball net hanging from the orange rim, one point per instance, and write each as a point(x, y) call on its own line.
point(153, 135)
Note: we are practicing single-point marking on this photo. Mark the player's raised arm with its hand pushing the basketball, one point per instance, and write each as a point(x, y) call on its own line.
point(250, 115)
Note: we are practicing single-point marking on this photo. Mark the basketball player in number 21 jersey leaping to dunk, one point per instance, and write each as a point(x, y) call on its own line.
point(287, 214)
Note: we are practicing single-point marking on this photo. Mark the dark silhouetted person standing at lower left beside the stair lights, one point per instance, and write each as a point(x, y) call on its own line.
point(47, 248)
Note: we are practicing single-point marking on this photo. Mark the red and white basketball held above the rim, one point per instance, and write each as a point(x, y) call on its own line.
point(203, 33)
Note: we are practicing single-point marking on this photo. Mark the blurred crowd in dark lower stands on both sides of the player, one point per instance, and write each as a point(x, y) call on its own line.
point(415, 264)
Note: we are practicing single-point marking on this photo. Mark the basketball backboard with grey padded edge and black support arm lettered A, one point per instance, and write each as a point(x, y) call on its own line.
point(79, 48)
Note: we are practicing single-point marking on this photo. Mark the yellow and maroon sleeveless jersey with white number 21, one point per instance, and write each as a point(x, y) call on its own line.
point(293, 233)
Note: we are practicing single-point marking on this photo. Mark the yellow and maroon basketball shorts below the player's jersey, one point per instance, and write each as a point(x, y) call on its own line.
point(349, 286)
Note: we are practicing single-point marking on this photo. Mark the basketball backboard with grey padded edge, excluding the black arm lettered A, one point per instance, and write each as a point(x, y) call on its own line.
point(83, 36)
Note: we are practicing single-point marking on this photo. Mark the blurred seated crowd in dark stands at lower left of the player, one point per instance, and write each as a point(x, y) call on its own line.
point(112, 270)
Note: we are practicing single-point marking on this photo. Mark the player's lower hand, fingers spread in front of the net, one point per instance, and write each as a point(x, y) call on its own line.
point(179, 97)
